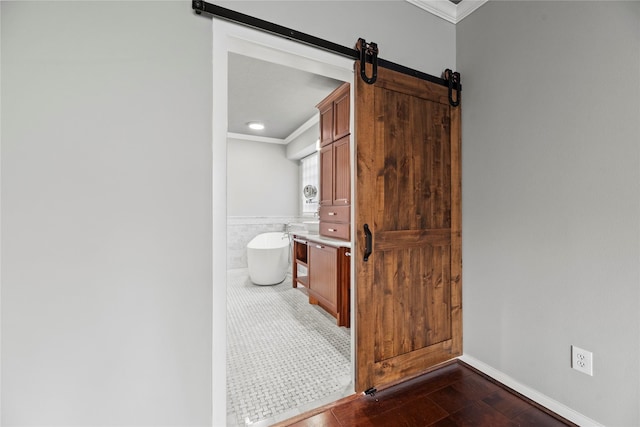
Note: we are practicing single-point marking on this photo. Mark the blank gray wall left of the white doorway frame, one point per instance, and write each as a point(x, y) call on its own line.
point(106, 214)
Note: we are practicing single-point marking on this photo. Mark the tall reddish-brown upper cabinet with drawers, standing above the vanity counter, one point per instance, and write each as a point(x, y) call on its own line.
point(335, 163)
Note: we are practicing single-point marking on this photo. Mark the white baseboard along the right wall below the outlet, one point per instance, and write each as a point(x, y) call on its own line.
point(539, 398)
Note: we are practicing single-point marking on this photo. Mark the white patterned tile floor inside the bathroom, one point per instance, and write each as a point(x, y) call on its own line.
point(284, 356)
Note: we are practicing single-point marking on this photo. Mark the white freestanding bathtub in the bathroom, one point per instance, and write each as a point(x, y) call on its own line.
point(268, 258)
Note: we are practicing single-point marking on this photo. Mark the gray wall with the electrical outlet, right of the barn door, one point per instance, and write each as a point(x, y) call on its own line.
point(551, 198)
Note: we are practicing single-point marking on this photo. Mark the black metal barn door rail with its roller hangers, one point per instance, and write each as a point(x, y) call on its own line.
point(365, 52)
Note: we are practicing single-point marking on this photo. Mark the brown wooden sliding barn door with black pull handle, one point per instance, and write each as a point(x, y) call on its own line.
point(408, 292)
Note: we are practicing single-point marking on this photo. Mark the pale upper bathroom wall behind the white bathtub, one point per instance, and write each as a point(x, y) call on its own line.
point(261, 181)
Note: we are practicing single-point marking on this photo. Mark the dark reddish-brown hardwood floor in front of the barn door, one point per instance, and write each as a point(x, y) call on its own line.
point(453, 395)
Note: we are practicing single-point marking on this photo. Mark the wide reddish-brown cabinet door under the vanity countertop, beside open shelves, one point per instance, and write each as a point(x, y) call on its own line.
point(323, 271)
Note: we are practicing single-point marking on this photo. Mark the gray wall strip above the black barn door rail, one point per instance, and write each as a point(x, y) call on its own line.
point(404, 33)
